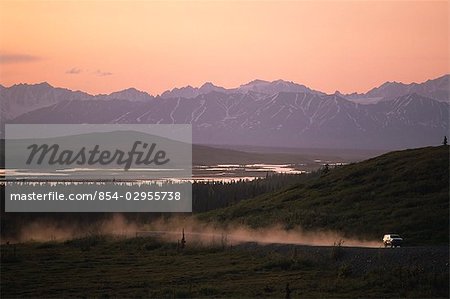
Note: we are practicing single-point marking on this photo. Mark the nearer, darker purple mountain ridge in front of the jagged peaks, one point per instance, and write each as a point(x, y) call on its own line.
point(284, 119)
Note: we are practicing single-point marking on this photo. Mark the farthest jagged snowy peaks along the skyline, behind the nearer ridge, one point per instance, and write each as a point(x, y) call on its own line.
point(43, 94)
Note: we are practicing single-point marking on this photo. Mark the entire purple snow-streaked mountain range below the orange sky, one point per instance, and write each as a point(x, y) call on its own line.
point(278, 113)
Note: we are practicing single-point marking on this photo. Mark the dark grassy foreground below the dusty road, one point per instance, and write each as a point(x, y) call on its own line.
point(99, 266)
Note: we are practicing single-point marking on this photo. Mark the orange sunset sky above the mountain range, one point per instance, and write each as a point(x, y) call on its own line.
point(105, 46)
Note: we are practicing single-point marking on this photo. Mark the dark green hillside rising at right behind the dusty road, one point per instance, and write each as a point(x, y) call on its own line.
point(406, 192)
